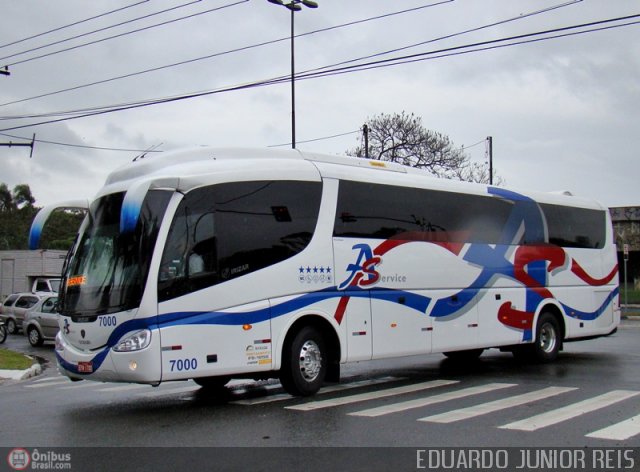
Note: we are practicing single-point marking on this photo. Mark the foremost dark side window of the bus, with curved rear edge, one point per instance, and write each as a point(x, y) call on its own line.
point(228, 230)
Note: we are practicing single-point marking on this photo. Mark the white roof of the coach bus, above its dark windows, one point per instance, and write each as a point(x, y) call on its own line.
point(190, 168)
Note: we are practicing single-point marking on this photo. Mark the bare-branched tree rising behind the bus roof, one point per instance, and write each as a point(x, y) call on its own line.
point(402, 138)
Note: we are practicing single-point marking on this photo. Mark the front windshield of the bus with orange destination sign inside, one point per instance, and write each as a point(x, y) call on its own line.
point(107, 270)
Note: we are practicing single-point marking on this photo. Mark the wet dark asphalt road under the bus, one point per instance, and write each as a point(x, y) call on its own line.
point(49, 411)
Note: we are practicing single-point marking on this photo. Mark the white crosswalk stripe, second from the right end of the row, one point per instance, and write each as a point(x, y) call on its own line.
point(571, 411)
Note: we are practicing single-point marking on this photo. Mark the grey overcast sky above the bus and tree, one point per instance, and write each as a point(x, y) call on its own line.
point(563, 113)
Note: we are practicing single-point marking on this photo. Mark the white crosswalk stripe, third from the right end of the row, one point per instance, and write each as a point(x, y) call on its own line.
point(490, 407)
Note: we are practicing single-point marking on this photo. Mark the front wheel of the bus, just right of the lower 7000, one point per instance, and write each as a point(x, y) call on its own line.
point(304, 363)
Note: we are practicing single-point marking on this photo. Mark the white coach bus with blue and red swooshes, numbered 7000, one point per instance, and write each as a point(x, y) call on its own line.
point(213, 264)
